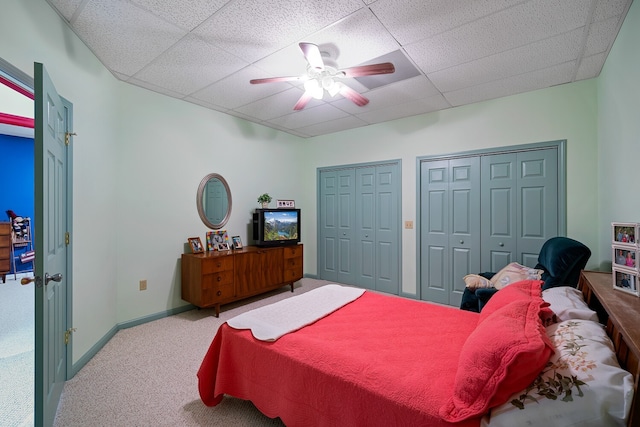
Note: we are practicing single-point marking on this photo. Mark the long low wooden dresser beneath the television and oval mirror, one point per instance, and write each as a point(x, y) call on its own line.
point(211, 279)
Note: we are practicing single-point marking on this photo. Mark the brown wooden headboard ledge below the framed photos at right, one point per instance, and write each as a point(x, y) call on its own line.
point(620, 312)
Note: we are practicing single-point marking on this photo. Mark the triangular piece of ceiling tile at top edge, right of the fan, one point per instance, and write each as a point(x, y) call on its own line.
point(413, 20)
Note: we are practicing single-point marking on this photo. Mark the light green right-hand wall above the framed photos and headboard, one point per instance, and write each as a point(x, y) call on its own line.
point(619, 133)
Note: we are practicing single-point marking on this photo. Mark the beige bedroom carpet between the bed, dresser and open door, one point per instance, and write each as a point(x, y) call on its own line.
point(146, 375)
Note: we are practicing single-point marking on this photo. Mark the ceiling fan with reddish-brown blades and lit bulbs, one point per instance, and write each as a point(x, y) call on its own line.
point(323, 75)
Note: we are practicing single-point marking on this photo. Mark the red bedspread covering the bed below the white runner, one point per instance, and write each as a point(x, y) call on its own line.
point(378, 361)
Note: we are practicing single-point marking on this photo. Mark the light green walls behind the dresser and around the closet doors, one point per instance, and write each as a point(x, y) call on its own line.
point(139, 157)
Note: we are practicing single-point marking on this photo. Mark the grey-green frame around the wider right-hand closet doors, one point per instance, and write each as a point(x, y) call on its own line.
point(560, 145)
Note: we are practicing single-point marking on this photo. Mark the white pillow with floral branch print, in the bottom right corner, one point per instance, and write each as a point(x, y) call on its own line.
point(584, 351)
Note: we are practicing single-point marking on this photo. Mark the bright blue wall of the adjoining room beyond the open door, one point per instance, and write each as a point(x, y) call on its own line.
point(16, 182)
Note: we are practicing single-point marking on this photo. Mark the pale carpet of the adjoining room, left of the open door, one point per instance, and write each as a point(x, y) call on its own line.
point(16, 353)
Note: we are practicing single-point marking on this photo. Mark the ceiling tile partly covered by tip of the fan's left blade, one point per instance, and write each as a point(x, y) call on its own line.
point(235, 90)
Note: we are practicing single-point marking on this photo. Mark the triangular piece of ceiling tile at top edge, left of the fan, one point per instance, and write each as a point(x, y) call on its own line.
point(174, 11)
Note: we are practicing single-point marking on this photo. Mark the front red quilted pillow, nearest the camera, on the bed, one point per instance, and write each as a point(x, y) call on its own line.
point(502, 356)
